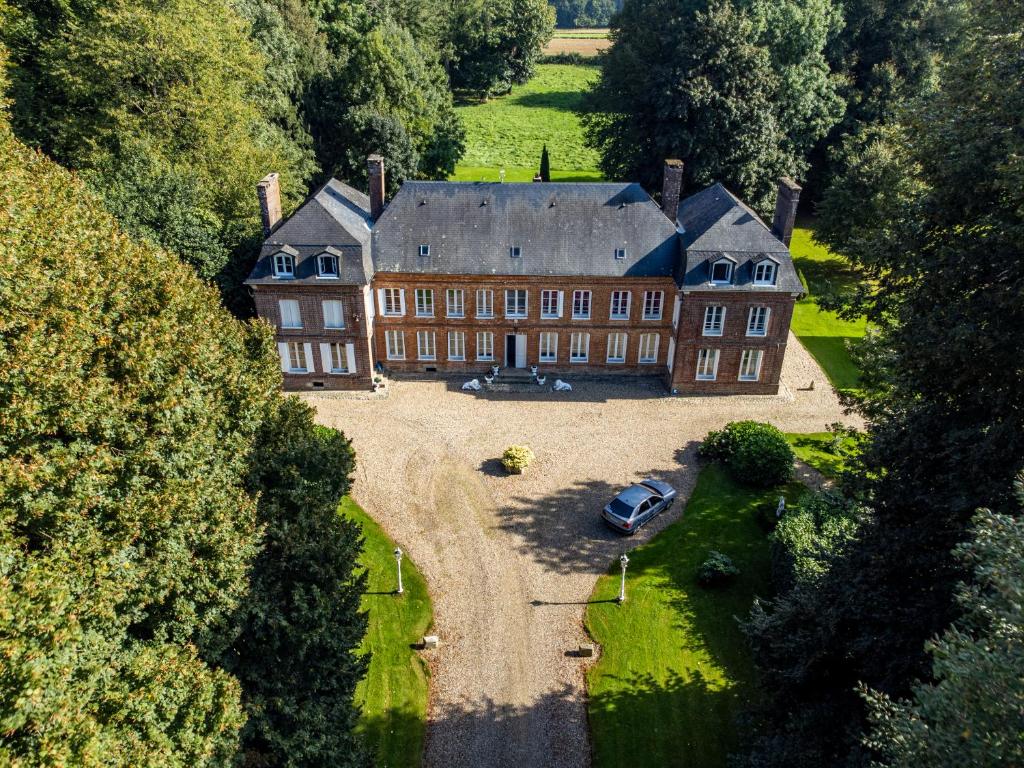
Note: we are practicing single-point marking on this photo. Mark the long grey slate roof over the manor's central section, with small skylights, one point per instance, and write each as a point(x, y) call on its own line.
point(562, 229)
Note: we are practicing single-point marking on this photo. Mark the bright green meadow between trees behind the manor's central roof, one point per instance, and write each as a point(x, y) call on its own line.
point(510, 132)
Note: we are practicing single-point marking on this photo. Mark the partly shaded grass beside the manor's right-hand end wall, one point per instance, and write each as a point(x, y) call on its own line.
point(824, 334)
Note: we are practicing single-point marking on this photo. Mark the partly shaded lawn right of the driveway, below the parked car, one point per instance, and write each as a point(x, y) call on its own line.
point(675, 670)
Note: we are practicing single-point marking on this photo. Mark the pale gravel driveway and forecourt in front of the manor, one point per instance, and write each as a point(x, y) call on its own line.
point(511, 562)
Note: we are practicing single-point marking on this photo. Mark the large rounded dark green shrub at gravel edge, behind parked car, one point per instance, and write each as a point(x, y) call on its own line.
point(756, 454)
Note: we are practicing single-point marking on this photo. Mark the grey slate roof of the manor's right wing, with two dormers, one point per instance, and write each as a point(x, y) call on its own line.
point(714, 223)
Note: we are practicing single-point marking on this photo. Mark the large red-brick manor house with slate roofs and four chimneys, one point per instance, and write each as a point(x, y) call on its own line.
point(573, 278)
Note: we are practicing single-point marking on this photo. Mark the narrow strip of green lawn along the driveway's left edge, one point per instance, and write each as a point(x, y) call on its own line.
point(394, 696)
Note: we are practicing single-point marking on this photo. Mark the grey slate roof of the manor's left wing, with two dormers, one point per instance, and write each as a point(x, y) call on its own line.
point(336, 218)
